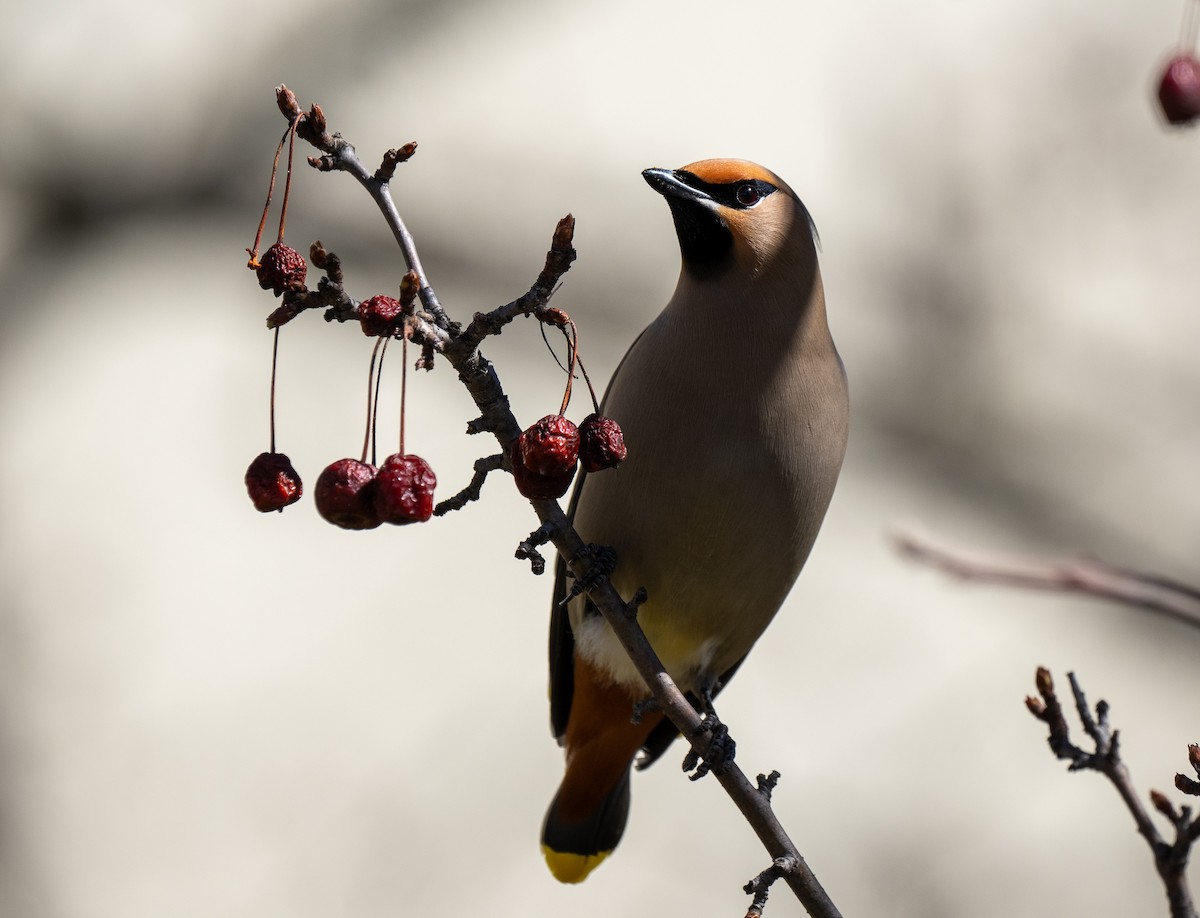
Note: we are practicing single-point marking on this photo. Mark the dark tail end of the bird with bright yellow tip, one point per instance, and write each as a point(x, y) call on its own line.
point(574, 844)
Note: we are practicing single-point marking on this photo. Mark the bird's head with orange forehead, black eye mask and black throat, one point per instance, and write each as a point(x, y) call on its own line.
point(734, 215)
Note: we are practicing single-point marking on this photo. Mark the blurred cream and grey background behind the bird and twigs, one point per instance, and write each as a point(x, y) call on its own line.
point(211, 712)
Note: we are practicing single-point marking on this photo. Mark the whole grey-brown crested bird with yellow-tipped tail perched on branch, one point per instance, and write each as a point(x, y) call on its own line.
point(735, 409)
